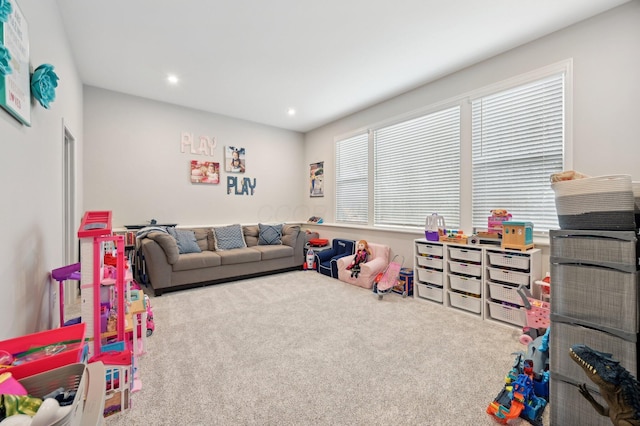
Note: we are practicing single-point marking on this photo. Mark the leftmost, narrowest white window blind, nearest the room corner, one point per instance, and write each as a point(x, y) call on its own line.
point(352, 179)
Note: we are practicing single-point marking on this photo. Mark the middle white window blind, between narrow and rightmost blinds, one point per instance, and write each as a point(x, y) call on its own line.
point(417, 170)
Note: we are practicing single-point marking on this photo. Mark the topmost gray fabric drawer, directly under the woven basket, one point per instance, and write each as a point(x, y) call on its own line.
point(613, 249)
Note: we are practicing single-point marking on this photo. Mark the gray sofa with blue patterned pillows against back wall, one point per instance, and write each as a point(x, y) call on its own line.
point(173, 263)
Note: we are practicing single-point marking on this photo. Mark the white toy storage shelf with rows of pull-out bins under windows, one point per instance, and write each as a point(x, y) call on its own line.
point(471, 278)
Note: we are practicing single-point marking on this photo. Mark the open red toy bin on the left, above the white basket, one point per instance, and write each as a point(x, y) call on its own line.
point(39, 352)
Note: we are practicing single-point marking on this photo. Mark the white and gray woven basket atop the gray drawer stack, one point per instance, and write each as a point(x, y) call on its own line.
point(598, 203)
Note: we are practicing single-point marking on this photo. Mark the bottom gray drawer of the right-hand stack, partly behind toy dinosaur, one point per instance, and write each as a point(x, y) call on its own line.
point(569, 408)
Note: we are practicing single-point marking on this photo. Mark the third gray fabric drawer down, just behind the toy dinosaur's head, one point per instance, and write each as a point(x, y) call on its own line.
point(564, 335)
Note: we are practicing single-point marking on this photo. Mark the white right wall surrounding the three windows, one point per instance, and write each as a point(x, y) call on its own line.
point(606, 89)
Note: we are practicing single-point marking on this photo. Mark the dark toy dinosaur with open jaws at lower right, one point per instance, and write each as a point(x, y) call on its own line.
point(617, 386)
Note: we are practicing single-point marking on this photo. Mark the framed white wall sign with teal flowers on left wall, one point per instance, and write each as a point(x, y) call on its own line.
point(15, 88)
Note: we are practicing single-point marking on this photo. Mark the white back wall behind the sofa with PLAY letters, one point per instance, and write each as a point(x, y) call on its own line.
point(135, 167)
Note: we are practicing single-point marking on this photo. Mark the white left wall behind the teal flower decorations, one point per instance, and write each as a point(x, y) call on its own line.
point(31, 181)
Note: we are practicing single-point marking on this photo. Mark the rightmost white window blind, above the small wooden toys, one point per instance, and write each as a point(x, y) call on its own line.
point(518, 139)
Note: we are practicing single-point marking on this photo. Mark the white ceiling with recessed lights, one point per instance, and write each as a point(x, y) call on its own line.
point(254, 59)
